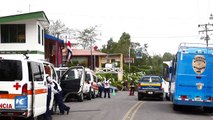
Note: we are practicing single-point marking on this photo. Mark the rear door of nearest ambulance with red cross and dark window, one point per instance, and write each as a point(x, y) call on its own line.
point(10, 85)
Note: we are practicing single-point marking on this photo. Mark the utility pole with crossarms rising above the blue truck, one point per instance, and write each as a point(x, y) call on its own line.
point(206, 30)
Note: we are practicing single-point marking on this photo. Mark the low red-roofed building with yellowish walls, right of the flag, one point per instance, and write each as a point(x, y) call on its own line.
point(101, 62)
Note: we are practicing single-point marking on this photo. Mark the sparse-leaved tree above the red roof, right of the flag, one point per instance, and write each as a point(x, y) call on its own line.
point(87, 37)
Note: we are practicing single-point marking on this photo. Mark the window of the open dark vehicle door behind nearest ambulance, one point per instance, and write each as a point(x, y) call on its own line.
point(72, 74)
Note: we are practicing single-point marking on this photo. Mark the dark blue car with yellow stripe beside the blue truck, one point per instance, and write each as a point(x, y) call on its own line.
point(150, 86)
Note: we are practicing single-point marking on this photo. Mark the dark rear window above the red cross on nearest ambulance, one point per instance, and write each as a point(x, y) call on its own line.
point(10, 70)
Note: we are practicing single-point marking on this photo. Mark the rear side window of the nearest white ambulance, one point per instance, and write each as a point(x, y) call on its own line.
point(36, 71)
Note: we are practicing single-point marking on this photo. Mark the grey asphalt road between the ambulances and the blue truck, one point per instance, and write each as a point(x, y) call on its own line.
point(125, 107)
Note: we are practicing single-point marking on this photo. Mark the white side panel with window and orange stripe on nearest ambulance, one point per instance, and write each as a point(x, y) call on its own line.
point(39, 86)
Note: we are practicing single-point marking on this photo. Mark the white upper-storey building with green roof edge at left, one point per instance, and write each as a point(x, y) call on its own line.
point(23, 33)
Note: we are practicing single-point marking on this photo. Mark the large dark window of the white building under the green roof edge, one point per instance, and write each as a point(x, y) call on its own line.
point(13, 33)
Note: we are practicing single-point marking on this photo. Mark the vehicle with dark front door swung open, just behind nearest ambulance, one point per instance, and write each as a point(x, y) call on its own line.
point(74, 84)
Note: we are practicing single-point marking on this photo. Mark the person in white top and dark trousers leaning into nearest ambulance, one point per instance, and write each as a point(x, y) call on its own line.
point(58, 96)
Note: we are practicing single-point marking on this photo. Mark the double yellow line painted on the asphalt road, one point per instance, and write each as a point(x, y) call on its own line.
point(132, 111)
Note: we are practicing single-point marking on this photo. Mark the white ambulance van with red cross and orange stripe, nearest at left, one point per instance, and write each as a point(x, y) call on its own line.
point(23, 88)
